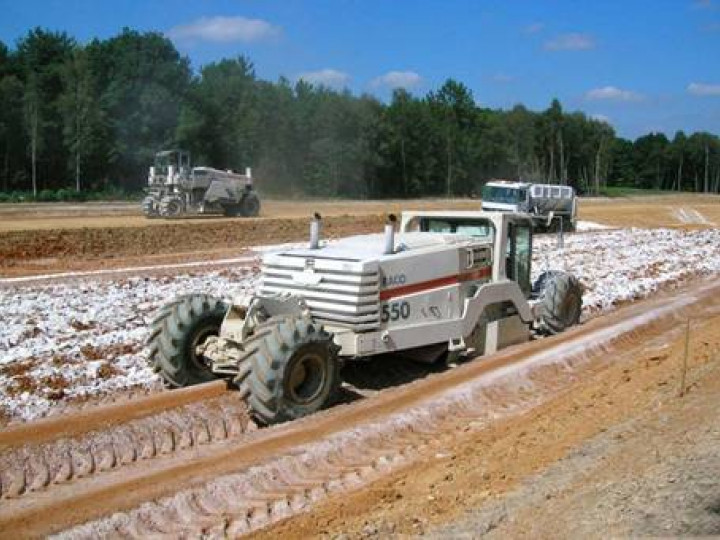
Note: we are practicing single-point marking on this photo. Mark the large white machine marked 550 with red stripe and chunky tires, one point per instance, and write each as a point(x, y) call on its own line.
point(447, 284)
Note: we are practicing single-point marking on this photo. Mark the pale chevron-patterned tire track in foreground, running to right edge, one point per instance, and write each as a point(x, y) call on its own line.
point(360, 451)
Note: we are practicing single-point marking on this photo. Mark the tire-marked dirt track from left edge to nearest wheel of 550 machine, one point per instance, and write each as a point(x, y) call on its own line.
point(39, 455)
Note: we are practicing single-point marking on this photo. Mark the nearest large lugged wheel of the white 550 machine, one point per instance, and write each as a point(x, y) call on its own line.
point(293, 370)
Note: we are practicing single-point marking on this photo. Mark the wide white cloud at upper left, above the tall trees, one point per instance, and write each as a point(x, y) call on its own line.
point(224, 30)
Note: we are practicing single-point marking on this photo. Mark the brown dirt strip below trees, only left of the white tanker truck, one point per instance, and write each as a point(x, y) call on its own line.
point(52, 238)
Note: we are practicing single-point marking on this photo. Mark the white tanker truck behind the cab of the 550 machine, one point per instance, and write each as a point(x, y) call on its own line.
point(550, 206)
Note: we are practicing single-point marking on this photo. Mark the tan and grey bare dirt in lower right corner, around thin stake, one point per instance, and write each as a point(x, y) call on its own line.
point(618, 453)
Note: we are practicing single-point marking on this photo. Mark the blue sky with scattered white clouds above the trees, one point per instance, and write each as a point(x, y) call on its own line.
point(641, 65)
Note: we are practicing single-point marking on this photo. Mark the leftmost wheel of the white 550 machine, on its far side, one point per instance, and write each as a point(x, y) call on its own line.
point(175, 334)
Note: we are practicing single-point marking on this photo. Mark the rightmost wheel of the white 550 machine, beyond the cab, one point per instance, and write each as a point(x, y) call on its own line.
point(560, 296)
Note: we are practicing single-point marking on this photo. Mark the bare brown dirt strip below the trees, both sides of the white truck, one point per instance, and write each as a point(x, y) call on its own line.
point(43, 244)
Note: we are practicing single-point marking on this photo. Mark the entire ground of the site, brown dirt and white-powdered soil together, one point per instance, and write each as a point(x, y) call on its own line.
point(584, 432)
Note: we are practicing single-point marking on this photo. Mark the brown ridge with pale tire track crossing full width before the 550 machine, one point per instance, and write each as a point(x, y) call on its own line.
point(281, 471)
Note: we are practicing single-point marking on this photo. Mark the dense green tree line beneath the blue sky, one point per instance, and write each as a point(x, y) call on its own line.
point(92, 116)
